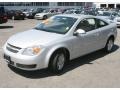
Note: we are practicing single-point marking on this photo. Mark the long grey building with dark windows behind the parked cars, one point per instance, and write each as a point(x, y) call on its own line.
point(31, 5)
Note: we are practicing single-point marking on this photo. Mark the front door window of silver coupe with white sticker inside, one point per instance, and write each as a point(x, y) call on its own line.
point(87, 24)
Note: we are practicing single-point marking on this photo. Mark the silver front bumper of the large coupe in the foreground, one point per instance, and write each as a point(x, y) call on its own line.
point(25, 62)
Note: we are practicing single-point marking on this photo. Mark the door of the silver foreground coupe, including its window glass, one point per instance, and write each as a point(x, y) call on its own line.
point(88, 42)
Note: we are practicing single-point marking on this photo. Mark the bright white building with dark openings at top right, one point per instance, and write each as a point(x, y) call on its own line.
point(107, 5)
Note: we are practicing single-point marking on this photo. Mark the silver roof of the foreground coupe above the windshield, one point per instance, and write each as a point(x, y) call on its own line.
point(75, 15)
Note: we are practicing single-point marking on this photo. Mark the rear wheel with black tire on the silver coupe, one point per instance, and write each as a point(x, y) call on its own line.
point(109, 45)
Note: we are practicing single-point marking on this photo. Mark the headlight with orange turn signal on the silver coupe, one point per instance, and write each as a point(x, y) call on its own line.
point(32, 51)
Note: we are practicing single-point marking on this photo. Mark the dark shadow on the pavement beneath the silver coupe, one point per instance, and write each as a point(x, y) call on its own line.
point(87, 59)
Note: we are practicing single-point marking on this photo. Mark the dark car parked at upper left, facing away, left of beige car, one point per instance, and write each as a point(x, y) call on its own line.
point(16, 15)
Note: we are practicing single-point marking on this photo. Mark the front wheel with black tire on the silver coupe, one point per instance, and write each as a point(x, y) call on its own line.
point(57, 61)
